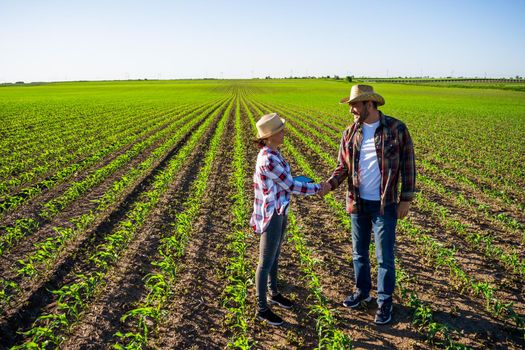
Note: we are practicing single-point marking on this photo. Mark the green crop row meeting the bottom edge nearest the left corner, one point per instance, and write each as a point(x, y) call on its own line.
point(74, 297)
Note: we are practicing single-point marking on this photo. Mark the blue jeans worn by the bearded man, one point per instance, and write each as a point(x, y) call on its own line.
point(384, 227)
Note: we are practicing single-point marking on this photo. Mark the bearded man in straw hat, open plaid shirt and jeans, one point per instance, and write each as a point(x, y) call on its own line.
point(375, 152)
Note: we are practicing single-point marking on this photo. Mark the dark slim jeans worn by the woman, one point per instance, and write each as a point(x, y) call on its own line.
point(269, 251)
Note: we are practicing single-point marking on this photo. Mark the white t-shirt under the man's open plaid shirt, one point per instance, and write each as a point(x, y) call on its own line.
point(369, 174)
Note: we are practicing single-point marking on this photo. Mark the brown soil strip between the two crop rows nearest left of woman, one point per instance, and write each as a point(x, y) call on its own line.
point(195, 315)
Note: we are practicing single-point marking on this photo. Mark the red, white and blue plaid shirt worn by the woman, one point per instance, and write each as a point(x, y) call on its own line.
point(273, 184)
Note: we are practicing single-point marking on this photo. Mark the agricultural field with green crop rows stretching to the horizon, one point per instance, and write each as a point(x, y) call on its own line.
point(124, 210)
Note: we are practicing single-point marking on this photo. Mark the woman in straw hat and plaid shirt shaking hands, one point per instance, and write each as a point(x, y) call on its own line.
point(273, 184)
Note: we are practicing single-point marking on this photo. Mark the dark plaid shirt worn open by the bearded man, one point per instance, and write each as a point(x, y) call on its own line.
point(395, 156)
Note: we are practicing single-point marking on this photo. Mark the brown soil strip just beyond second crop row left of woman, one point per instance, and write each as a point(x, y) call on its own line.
point(125, 283)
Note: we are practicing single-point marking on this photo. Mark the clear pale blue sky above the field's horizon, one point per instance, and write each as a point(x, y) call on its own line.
point(92, 40)
